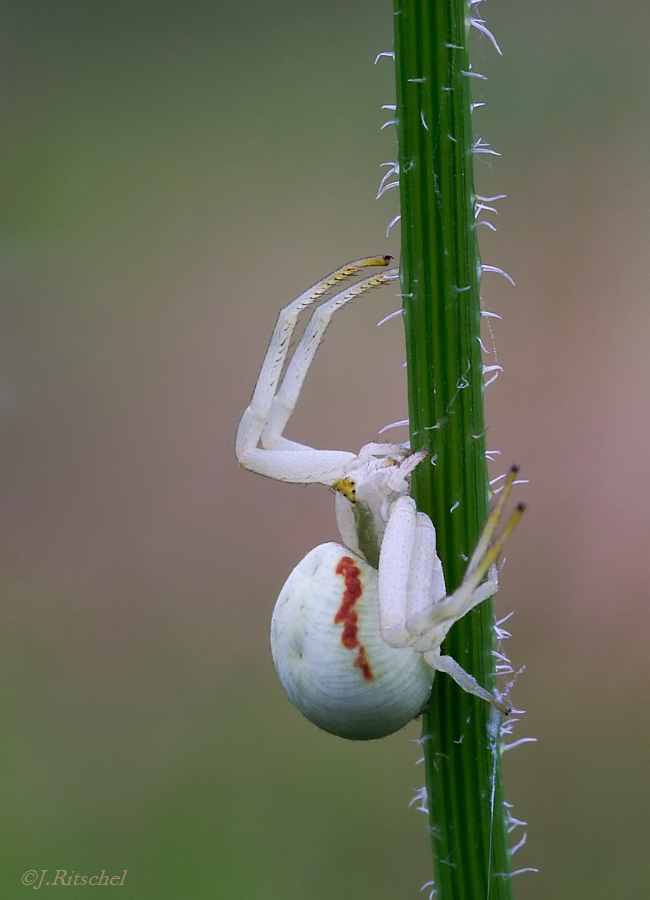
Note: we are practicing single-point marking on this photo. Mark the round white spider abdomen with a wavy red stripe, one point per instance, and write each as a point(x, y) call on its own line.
point(329, 653)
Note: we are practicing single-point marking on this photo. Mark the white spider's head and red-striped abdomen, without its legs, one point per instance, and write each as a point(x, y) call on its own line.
point(326, 640)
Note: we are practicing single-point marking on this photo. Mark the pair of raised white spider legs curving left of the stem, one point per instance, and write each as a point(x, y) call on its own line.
point(273, 403)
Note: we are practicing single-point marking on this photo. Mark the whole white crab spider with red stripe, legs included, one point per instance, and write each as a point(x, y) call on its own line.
point(357, 628)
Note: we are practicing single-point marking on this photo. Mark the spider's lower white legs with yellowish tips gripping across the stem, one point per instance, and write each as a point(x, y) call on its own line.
point(414, 608)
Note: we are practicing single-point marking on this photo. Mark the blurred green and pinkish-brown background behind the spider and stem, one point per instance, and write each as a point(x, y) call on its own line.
point(170, 175)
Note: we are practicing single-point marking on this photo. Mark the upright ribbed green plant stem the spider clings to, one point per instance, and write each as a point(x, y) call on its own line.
point(440, 272)
